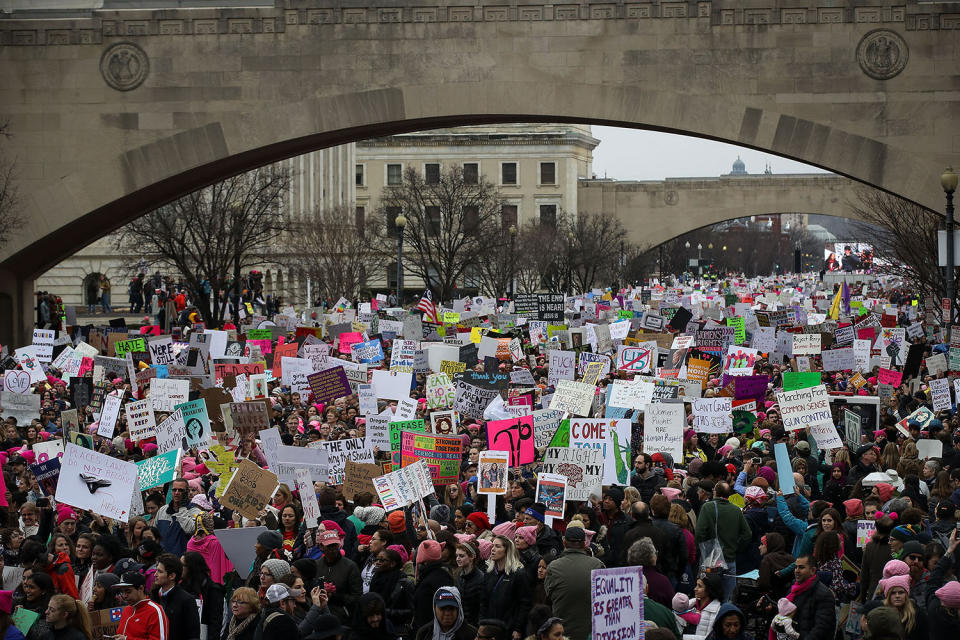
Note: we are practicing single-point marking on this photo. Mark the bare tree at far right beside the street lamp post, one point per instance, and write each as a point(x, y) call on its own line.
point(904, 239)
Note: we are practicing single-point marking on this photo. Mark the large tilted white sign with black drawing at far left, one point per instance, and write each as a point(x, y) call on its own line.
point(98, 482)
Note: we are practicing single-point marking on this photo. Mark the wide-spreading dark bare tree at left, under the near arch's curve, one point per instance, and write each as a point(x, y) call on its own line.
point(211, 236)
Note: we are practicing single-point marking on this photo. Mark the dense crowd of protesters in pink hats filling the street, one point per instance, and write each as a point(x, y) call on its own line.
point(449, 571)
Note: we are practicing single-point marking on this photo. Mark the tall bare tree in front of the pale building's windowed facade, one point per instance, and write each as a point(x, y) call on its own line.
point(450, 223)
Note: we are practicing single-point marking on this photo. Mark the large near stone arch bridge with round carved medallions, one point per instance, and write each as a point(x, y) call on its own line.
point(114, 112)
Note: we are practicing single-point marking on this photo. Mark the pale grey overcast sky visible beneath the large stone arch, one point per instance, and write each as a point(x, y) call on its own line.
point(633, 154)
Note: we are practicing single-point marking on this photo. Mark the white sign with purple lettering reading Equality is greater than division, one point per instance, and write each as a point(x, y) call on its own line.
point(616, 600)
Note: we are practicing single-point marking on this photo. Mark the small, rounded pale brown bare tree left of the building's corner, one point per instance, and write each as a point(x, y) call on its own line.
point(337, 251)
